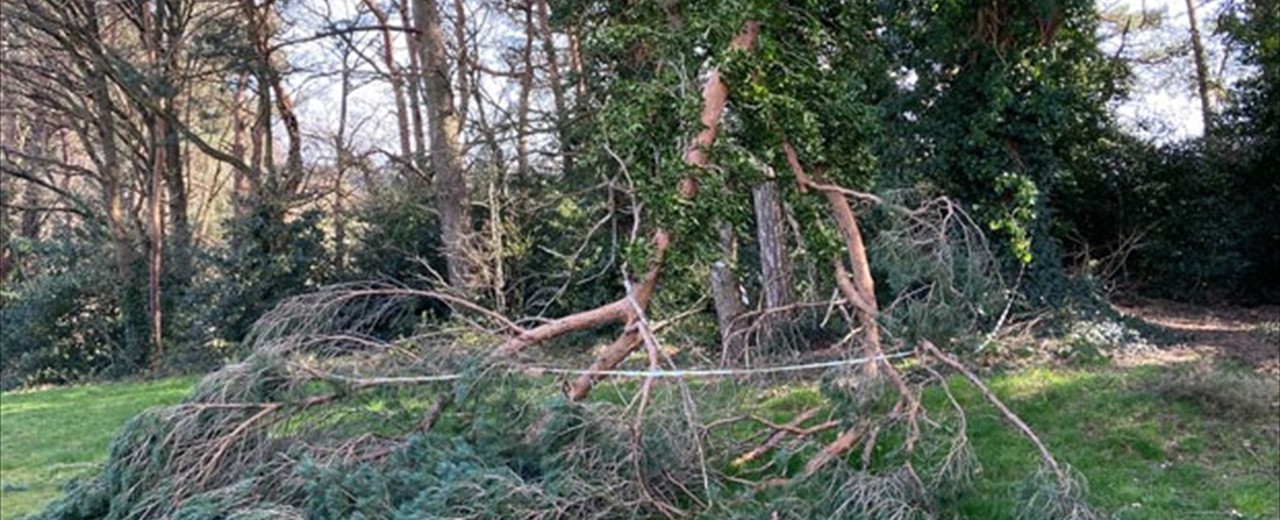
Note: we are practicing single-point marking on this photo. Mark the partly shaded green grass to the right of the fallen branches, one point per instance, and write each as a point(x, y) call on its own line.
point(1144, 457)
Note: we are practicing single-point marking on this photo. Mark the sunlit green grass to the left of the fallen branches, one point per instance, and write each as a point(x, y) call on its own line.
point(53, 436)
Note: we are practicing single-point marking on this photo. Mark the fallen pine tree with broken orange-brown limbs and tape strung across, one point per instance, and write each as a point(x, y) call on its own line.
point(326, 419)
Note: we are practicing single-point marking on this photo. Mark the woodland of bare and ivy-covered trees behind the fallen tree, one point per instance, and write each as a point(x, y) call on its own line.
point(172, 170)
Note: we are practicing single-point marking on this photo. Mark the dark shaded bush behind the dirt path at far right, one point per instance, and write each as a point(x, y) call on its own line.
point(1190, 221)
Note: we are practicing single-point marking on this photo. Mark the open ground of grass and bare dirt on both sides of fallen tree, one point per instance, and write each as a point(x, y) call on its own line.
point(1149, 445)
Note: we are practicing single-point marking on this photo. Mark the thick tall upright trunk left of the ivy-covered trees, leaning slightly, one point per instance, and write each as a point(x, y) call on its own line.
point(452, 200)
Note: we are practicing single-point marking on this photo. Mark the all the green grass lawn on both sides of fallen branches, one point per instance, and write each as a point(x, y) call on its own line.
point(1145, 457)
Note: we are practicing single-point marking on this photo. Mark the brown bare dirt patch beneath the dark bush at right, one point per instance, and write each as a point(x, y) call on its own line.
point(1247, 335)
